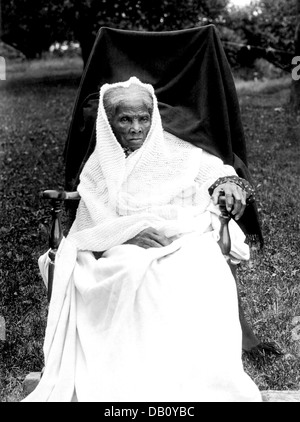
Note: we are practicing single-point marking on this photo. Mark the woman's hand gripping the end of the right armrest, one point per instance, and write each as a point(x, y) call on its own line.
point(235, 198)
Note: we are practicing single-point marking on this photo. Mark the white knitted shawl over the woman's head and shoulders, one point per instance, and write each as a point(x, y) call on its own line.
point(163, 184)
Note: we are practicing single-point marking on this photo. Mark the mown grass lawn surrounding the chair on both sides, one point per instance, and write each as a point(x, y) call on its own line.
point(36, 103)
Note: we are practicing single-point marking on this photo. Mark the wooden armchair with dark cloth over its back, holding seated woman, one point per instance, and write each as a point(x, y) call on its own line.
point(199, 56)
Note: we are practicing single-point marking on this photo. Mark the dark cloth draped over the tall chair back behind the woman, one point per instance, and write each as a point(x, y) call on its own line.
point(194, 87)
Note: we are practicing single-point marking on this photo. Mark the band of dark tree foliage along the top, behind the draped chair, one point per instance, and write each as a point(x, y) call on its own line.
point(266, 24)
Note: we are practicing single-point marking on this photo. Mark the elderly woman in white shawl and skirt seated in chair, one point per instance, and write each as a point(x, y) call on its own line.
point(142, 295)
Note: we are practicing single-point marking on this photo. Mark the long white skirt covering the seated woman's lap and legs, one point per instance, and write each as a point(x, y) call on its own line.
point(154, 325)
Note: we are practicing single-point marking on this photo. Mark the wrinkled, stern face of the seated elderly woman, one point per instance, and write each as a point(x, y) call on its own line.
point(131, 122)
